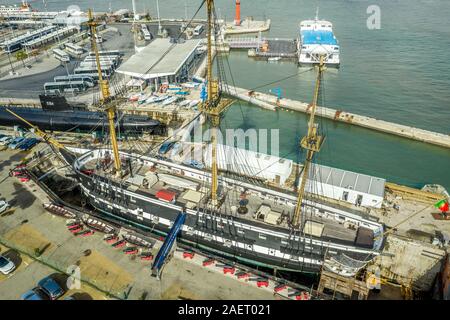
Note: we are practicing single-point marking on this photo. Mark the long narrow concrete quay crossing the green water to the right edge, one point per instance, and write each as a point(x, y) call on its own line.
point(408, 132)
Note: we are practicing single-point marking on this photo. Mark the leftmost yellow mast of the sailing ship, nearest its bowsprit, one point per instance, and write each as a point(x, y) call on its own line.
point(106, 95)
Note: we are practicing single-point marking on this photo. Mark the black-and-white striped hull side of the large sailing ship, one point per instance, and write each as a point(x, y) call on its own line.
point(309, 256)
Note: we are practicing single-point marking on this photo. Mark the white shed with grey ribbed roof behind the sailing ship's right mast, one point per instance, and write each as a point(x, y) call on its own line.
point(355, 188)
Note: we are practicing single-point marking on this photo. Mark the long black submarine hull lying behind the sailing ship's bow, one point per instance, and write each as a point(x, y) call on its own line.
point(77, 120)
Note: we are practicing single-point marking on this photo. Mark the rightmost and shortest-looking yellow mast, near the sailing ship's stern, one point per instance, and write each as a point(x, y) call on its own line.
point(311, 143)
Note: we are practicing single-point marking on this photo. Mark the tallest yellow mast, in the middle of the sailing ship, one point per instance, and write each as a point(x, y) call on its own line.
point(214, 105)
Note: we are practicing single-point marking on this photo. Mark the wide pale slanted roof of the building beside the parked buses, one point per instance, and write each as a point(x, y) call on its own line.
point(160, 58)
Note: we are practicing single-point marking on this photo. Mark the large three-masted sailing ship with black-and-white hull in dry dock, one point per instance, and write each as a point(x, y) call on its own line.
point(227, 215)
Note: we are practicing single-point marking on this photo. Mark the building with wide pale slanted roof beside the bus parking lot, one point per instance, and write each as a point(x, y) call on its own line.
point(162, 61)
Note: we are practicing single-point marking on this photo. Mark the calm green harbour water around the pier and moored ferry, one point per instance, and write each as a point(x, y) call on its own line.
point(399, 73)
